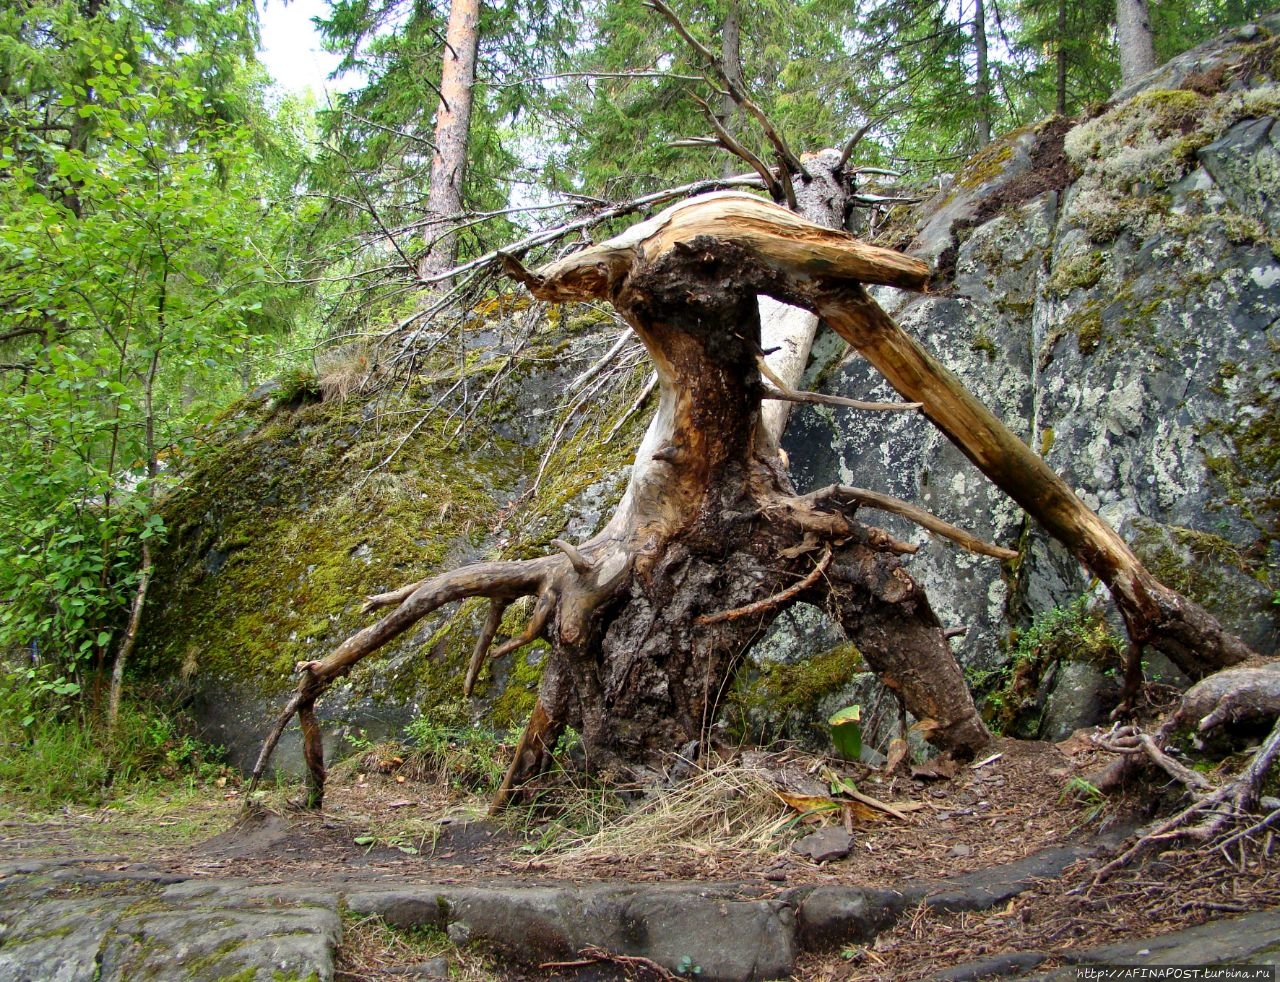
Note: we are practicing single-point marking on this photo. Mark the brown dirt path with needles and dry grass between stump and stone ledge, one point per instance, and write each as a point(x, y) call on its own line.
point(380, 833)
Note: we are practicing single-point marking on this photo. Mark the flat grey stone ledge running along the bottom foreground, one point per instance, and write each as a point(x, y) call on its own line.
point(66, 922)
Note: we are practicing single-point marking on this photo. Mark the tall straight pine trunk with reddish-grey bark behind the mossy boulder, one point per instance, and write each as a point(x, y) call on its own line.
point(452, 133)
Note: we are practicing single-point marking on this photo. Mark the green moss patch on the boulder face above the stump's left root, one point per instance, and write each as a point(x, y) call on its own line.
point(277, 537)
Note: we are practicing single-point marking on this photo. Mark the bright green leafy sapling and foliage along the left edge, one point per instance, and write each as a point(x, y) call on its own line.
point(144, 198)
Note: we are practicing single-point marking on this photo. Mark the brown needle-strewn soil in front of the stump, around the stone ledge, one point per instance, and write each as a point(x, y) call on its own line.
point(1014, 802)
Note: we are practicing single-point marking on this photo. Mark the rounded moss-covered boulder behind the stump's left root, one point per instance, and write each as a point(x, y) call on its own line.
point(299, 509)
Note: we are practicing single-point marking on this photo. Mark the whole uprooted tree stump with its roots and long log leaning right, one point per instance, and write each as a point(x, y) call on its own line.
point(647, 622)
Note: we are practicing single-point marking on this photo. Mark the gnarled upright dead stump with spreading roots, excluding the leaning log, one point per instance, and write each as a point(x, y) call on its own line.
point(648, 620)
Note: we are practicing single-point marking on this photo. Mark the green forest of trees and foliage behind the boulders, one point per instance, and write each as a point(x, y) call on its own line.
point(179, 231)
